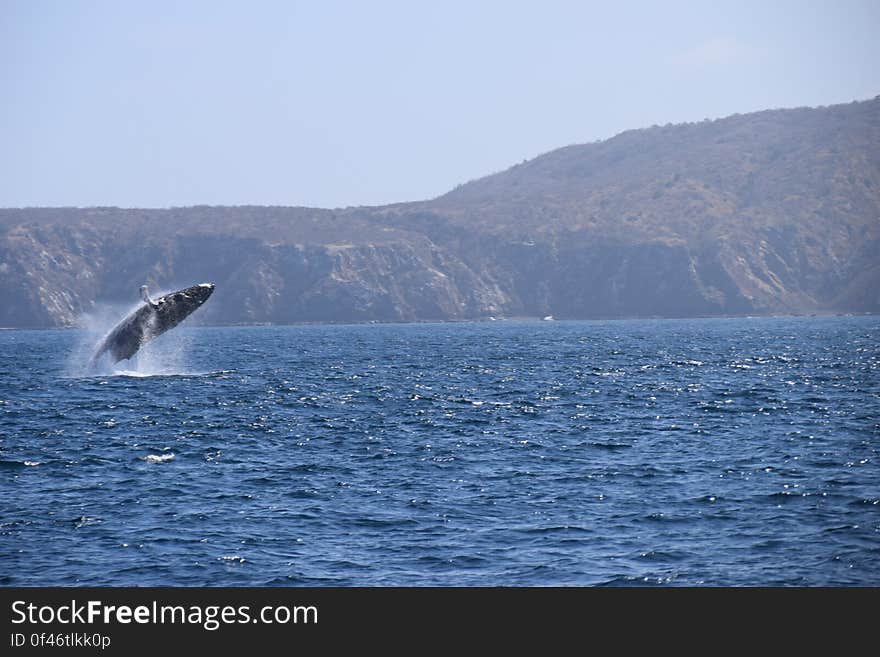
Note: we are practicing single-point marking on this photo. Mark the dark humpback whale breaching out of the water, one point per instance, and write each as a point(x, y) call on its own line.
point(151, 320)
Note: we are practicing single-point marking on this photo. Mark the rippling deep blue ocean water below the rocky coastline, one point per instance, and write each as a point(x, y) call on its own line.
point(692, 452)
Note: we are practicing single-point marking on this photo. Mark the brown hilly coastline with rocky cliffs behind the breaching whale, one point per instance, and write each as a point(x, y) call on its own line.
point(774, 212)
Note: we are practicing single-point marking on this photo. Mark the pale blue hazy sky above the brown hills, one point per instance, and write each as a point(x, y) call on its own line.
point(330, 104)
